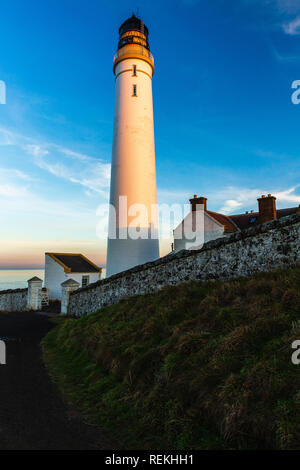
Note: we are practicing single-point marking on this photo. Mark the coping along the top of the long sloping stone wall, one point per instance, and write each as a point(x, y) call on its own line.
point(219, 242)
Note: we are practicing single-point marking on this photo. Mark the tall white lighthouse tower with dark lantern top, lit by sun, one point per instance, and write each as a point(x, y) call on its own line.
point(133, 221)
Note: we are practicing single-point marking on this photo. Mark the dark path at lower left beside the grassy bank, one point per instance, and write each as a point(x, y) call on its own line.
point(32, 415)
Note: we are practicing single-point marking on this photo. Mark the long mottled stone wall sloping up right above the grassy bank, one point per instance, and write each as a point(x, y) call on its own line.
point(273, 245)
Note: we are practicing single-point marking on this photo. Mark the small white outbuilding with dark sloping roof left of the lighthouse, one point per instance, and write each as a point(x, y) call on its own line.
point(59, 267)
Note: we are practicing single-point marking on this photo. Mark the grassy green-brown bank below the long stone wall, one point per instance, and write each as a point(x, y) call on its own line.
point(197, 366)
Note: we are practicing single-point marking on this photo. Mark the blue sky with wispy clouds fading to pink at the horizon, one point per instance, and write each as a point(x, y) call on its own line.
point(225, 125)
